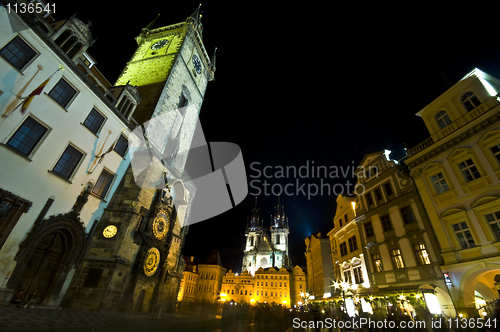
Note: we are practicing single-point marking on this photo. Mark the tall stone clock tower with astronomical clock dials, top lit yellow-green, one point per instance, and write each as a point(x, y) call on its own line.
point(133, 259)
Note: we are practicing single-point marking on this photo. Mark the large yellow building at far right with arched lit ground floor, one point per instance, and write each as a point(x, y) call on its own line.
point(457, 173)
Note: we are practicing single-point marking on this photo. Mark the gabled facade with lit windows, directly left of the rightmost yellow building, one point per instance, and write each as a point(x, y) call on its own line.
point(401, 252)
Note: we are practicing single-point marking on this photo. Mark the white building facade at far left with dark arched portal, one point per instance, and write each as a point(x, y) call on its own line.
point(63, 151)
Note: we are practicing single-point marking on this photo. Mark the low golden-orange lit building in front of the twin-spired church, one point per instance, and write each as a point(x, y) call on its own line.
point(270, 285)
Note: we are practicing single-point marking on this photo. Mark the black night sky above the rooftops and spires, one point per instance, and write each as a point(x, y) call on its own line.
point(300, 85)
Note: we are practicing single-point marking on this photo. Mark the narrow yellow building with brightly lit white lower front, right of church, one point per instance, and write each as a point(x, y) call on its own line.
point(347, 250)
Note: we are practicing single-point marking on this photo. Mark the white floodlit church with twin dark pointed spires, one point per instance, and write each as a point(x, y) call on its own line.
point(265, 248)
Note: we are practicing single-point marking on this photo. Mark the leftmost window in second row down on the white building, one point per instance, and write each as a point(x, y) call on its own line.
point(27, 137)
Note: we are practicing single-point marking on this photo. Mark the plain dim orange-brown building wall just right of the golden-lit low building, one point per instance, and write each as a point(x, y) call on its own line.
point(320, 274)
